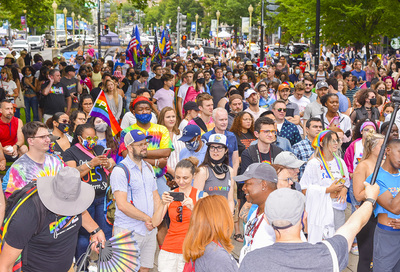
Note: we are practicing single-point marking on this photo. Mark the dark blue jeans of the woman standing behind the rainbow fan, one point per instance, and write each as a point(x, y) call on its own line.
point(96, 211)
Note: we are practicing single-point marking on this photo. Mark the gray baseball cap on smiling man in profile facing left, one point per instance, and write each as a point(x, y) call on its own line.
point(262, 171)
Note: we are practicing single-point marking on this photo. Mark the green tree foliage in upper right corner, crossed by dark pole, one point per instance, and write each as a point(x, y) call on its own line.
point(342, 21)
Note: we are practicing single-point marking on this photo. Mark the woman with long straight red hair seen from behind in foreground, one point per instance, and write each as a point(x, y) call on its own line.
point(207, 245)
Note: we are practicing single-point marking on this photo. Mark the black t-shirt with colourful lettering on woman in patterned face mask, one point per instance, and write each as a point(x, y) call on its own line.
point(97, 176)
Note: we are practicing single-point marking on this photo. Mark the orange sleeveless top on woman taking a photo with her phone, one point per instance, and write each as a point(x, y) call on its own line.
point(177, 230)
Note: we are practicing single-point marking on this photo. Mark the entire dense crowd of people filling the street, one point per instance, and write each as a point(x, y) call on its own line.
point(212, 149)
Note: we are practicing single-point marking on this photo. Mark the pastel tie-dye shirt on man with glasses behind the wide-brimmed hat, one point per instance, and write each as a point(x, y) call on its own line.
point(25, 170)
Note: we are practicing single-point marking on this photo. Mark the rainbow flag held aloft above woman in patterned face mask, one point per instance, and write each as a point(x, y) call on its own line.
point(102, 110)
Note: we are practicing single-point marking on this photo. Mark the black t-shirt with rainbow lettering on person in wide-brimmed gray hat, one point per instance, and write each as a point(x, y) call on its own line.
point(51, 248)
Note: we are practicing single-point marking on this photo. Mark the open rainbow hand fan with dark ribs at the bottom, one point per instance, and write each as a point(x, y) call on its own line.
point(120, 254)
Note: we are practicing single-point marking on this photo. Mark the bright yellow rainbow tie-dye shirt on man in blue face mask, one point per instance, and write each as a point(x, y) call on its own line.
point(160, 140)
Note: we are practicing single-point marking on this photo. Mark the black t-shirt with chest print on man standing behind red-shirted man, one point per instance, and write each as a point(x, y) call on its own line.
point(55, 100)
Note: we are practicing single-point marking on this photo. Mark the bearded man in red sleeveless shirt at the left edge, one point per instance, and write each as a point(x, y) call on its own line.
point(11, 137)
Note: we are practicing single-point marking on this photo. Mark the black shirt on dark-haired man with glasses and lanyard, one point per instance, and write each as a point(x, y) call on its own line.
point(249, 156)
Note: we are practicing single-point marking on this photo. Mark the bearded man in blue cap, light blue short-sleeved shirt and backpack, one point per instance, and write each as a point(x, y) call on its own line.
point(137, 198)
